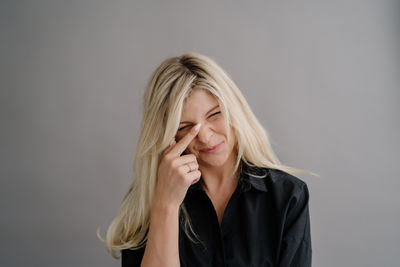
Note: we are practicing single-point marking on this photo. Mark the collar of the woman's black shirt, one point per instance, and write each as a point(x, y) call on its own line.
point(250, 177)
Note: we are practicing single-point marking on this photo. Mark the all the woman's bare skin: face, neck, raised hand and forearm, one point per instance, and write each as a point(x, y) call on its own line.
point(175, 176)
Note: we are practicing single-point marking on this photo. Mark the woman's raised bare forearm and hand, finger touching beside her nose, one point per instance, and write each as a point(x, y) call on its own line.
point(175, 174)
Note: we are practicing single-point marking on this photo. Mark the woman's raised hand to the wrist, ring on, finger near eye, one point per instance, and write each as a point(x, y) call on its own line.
point(176, 173)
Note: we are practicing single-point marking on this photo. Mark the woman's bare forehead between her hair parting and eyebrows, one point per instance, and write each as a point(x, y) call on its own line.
point(199, 100)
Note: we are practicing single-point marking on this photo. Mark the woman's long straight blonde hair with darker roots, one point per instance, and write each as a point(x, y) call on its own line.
point(168, 87)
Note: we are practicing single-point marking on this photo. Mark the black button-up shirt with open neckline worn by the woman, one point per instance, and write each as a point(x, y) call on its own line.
point(266, 223)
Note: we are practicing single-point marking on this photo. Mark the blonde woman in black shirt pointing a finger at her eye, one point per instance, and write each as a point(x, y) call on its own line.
point(216, 195)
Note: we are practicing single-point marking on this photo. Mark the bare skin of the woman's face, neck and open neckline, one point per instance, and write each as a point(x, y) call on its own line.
point(216, 168)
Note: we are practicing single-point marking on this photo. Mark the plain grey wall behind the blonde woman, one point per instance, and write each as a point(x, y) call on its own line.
point(322, 77)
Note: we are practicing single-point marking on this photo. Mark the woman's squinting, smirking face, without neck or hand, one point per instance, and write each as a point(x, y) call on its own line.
point(201, 106)
